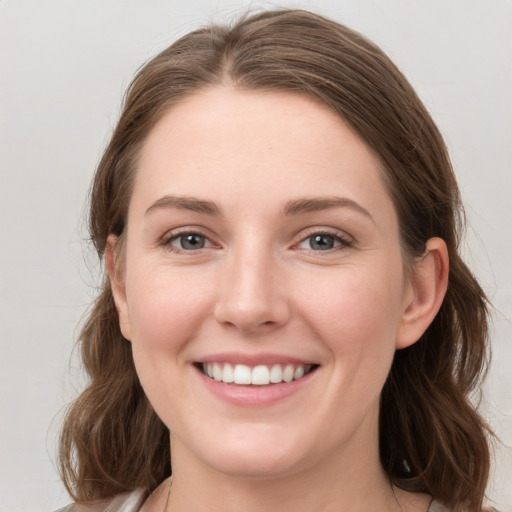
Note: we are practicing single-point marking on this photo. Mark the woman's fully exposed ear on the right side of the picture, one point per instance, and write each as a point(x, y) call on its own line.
point(426, 290)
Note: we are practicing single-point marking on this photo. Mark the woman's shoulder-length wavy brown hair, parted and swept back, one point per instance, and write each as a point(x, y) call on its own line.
point(431, 437)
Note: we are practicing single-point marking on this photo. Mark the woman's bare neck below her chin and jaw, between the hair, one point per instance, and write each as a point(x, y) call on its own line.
point(351, 480)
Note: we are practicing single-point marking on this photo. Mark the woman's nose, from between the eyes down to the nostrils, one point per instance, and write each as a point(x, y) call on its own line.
point(252, 297)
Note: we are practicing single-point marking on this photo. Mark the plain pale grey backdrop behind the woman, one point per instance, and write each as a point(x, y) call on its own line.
point(63, 69)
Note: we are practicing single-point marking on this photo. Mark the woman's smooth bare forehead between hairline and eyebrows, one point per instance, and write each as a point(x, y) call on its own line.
point(235, 145)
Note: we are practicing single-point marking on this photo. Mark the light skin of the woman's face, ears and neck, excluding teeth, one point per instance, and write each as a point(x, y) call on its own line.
point(260, 229)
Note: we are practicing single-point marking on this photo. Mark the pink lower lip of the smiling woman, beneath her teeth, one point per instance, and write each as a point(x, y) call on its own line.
point(254, 395)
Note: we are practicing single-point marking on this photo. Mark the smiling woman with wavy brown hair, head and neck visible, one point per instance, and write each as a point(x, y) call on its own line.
point(285, 319)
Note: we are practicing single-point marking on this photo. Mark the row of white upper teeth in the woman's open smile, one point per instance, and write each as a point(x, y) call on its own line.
point(261, 375)
